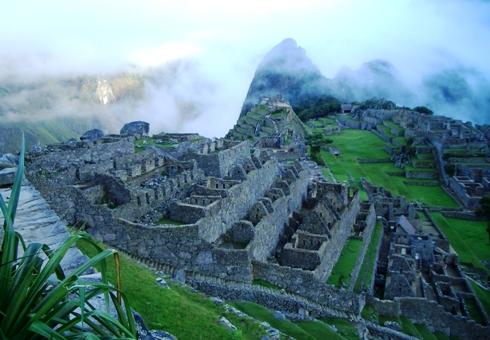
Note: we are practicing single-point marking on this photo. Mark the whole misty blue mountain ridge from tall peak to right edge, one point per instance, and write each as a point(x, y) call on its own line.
point(461, 93)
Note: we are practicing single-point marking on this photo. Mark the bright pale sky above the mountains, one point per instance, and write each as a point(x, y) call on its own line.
point(227, 40)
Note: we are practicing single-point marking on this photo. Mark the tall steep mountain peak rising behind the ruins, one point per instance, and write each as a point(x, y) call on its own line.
point(287, 70)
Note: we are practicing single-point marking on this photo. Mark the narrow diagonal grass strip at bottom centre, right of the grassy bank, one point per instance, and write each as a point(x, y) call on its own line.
point(263, 314)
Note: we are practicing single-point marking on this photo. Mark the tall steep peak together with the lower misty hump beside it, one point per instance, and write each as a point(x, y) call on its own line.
point(286, 69)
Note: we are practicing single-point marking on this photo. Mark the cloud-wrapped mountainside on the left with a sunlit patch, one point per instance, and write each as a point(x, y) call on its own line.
point(55, 108)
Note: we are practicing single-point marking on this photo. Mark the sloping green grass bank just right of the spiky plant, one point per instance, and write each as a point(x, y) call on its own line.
point(177, 311)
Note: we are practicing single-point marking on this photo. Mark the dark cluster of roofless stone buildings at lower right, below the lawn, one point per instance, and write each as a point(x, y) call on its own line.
point(415, 260)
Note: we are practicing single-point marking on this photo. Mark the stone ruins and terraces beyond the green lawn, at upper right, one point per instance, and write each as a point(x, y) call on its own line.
point(452, 143)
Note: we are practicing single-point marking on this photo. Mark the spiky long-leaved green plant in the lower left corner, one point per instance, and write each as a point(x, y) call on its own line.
point(37, 299)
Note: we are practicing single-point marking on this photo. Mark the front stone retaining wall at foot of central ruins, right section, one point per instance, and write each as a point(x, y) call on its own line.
point(305, 284)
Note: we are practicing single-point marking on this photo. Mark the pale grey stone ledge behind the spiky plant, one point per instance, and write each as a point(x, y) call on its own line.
point(36, 222)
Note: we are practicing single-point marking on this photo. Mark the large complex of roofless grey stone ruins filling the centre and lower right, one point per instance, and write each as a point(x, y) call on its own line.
point(221, 211)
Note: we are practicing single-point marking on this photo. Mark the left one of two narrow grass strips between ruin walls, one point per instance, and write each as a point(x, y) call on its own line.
point(341, 272)
